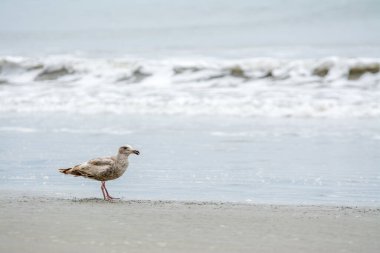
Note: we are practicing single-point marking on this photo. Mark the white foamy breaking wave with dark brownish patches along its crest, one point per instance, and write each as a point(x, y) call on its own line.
point(261, 87)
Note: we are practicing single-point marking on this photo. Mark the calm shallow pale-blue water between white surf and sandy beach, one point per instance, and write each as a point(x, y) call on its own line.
point(293, 161)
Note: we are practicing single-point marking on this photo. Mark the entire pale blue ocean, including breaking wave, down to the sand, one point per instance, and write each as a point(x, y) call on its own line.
point(247, 101)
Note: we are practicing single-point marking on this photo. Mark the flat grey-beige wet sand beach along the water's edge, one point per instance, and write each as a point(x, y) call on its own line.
point(45, 224)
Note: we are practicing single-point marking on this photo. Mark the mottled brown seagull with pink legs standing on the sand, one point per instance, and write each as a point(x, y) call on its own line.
point(104, 169)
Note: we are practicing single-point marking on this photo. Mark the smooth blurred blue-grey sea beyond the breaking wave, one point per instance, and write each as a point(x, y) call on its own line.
point(158, 28)
